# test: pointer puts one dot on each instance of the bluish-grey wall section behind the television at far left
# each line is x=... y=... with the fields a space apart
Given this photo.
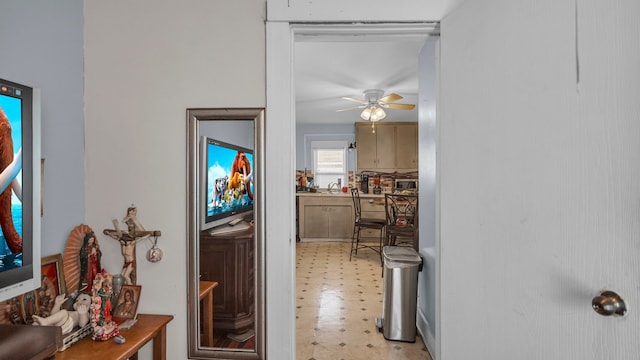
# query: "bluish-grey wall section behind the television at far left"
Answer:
x=41 y=44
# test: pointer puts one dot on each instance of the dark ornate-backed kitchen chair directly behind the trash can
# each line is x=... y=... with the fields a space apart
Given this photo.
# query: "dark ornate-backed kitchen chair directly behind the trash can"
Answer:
x=401 y=211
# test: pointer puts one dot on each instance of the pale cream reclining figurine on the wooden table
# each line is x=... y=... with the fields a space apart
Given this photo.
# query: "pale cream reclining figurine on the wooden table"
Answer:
x=68 y=320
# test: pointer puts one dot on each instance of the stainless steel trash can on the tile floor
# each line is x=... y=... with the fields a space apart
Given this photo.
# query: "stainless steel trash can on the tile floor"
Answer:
x=400 y=292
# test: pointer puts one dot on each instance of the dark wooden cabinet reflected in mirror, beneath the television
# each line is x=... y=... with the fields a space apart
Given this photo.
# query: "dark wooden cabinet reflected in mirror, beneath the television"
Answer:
x=229 y=260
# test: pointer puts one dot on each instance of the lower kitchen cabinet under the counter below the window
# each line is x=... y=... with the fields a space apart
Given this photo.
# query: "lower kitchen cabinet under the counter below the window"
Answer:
x=325 y=217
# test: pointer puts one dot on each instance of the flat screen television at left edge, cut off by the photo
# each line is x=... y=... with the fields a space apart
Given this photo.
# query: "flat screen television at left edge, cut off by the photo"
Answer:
x=19 y=189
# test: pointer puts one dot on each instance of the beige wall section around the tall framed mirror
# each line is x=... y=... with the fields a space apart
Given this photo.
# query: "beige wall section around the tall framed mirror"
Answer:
x=146 y=62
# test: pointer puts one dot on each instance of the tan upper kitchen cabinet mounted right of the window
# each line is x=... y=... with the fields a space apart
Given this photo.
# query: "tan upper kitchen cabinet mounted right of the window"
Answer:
x=393 y=147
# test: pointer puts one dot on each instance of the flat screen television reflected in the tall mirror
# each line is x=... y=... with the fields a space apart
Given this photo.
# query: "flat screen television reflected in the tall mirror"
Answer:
x=227 y=186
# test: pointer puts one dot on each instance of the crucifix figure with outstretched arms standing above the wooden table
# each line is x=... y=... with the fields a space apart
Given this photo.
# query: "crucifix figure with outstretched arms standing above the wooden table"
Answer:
x=135 y=232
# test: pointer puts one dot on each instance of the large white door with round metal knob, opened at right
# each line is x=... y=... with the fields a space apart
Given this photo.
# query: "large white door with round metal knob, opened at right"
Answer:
x=539 y=179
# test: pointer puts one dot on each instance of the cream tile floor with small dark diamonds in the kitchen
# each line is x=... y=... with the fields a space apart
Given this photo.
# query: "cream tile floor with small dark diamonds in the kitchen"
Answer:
x=337 y=303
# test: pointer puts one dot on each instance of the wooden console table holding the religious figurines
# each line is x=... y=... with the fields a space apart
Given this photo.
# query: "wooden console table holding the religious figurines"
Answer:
x=148 y=327
